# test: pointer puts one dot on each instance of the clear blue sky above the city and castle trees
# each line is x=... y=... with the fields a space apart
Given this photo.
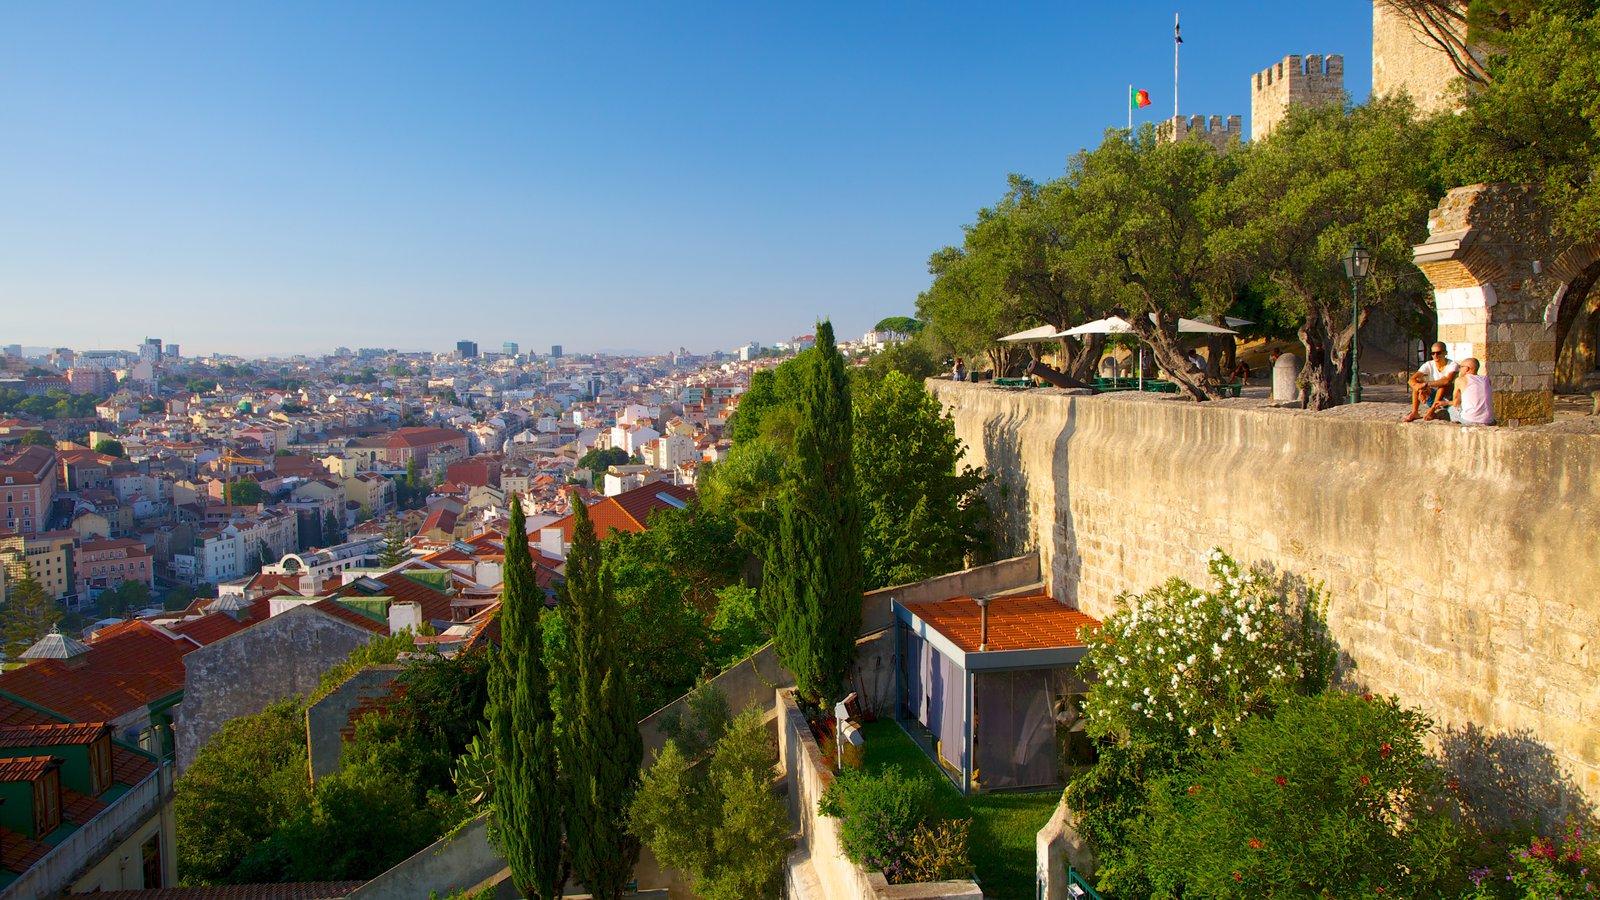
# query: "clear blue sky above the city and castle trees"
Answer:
x=292 y=177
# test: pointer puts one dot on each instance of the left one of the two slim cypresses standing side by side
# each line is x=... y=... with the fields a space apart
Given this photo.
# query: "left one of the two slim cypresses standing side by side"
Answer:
x=522 y=731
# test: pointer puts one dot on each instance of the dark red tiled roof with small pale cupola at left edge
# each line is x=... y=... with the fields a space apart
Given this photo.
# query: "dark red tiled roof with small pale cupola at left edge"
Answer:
x=129 y=665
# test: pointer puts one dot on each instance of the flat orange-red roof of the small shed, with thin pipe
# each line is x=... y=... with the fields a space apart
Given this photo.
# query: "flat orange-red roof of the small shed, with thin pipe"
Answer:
x=1015 y=624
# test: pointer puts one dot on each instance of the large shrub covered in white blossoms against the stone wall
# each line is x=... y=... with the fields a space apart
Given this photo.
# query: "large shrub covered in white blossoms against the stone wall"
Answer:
x=1175 y=673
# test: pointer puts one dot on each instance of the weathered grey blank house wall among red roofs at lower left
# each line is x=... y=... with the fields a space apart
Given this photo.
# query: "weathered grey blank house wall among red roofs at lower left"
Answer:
x=249 y=670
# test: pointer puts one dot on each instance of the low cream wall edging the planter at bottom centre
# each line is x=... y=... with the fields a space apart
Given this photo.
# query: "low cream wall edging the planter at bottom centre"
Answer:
x=818 y=870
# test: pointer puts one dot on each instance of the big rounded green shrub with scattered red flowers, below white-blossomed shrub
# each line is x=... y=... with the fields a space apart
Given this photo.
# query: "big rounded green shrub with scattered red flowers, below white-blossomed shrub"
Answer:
x=1332 y=797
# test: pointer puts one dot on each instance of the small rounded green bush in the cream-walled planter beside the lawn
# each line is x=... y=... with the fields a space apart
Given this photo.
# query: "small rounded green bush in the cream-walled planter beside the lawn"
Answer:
x=879 y=816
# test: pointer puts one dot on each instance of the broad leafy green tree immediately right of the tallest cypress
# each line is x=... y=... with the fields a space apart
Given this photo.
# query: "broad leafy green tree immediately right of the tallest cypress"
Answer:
x=922 y=513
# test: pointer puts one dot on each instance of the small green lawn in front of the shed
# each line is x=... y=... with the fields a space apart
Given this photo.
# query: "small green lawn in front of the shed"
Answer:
x=1004 y=824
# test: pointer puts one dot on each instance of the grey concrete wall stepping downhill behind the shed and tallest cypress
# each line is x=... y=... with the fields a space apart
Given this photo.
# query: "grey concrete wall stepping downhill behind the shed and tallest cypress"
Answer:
x=753 y=681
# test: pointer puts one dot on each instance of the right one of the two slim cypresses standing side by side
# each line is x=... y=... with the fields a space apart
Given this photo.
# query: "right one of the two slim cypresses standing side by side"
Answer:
x=602 y=750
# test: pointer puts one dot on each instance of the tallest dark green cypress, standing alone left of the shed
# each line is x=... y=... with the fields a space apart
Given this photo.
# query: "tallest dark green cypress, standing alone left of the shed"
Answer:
x=814 y=566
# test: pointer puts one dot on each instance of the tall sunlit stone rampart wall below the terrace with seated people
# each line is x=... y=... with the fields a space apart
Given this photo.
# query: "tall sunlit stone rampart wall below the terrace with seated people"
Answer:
x=1460 y=565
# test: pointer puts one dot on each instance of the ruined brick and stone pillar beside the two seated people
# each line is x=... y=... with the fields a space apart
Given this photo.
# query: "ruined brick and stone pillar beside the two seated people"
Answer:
x=1490 y=257
